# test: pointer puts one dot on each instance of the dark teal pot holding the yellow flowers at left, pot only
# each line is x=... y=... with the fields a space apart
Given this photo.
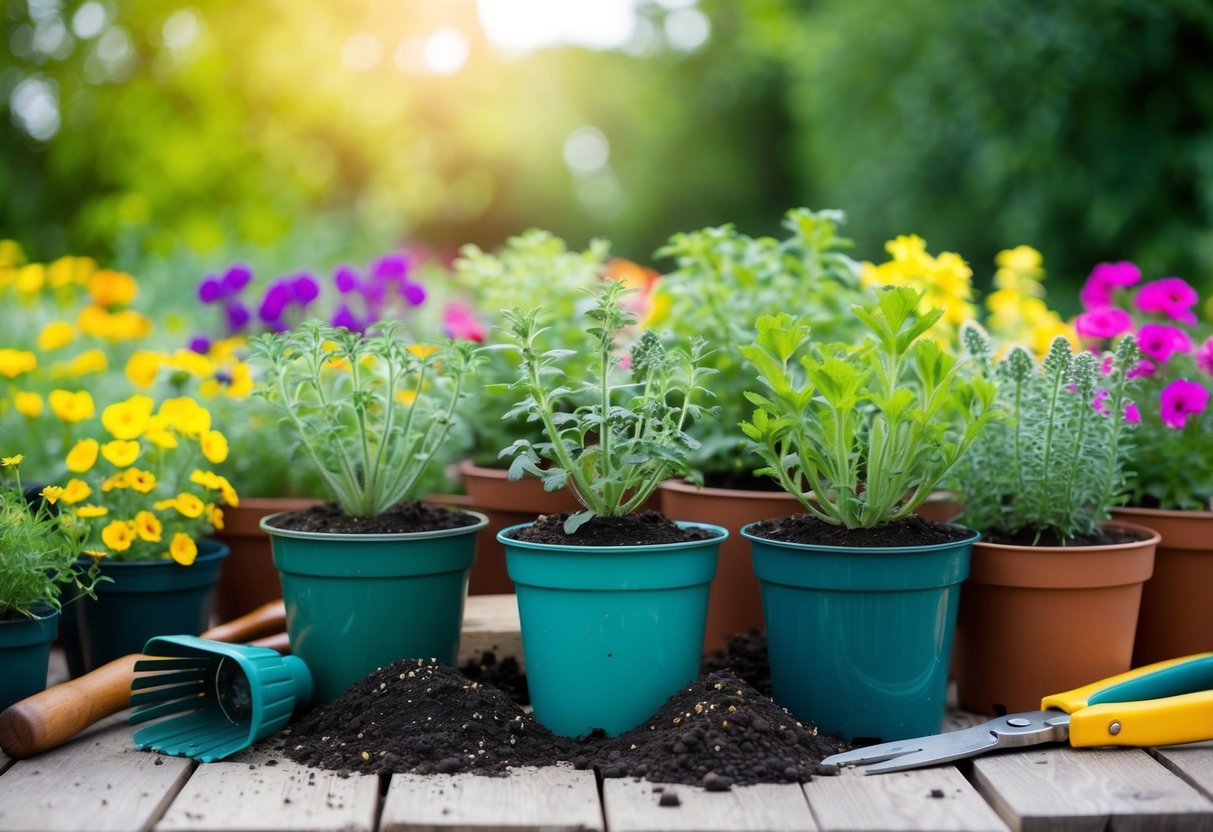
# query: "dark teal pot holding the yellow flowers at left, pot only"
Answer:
x=146 y=600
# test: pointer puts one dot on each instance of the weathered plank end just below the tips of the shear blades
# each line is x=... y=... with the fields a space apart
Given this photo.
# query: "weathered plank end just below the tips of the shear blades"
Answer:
x=936 y=799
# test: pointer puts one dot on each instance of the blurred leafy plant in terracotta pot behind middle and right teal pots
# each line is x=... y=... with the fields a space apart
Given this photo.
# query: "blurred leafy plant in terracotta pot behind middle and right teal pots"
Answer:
x=722 y=283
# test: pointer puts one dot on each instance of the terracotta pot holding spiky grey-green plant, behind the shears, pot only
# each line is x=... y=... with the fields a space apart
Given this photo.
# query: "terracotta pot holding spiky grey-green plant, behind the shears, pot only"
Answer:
x=1044 y=620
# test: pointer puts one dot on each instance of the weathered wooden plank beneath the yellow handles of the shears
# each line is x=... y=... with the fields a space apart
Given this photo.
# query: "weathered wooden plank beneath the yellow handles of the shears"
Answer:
x=1085 y=789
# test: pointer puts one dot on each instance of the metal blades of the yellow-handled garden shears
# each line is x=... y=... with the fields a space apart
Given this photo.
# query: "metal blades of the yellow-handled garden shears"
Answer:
x=1015 y=731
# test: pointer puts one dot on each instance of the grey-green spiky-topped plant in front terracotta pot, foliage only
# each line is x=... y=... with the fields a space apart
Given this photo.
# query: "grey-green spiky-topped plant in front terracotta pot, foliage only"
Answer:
x=1056 y=468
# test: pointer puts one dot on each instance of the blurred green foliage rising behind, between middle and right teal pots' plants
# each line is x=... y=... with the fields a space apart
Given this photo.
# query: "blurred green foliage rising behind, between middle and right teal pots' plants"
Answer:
x=725 y=281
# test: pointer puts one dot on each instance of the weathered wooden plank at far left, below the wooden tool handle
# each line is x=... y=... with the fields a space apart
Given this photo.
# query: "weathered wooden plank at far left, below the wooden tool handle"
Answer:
x=98 y=782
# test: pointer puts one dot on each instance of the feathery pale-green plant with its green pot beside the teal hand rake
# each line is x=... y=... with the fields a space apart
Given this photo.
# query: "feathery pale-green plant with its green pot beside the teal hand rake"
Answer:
x=371 y=413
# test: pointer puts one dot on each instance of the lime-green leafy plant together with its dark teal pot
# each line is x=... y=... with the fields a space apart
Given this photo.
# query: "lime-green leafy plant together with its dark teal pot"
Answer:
x=861 y=594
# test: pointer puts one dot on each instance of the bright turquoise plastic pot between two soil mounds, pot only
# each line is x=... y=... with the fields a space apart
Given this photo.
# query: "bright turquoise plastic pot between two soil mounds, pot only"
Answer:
x=610 y=632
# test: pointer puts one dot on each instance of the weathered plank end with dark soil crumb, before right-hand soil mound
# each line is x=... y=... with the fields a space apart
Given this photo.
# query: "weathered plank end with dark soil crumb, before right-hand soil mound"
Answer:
x=633 y=806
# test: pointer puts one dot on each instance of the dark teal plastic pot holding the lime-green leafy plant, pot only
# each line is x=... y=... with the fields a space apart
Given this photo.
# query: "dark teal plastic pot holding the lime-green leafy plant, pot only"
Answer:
x=861 y=640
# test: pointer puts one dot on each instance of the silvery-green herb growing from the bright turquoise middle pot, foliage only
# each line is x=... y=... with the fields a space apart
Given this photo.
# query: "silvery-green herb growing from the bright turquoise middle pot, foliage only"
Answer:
x=614 y=452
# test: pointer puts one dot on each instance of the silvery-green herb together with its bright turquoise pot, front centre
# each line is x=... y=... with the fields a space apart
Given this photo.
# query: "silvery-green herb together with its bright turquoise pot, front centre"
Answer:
x=612 y=602
